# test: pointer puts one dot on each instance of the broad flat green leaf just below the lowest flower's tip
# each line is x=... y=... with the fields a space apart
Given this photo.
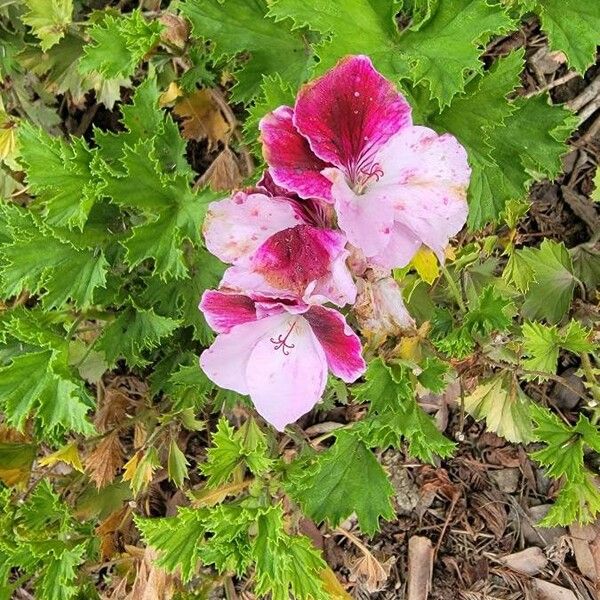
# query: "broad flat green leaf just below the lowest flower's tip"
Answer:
x=344 y=479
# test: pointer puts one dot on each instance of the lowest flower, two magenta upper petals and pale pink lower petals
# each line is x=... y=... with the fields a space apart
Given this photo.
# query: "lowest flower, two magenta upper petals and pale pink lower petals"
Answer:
x=277 y=352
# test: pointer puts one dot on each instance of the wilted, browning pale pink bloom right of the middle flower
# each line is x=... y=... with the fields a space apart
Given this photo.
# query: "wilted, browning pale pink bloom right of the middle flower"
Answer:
x=380 y=309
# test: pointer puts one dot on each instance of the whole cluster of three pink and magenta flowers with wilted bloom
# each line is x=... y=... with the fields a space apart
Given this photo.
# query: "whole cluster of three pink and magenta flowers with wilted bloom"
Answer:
x=352 y=190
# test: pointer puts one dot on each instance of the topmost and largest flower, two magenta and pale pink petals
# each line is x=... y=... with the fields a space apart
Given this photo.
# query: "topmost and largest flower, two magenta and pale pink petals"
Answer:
x=350 y=140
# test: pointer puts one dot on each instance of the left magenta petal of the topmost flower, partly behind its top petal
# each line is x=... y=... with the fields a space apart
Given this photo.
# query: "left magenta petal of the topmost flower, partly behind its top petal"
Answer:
x=292 y=164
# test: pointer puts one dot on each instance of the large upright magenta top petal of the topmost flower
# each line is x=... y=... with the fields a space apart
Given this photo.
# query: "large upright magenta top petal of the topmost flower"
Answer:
x=349 y=113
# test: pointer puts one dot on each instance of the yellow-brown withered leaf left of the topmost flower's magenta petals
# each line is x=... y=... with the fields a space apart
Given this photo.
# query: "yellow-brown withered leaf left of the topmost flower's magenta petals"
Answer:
x=202 y=118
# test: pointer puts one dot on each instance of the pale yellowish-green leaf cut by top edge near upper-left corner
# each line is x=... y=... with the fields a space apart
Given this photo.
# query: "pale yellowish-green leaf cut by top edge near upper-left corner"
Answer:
x=48 y=19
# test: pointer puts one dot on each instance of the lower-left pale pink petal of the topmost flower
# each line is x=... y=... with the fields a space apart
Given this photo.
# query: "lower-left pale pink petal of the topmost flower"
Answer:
x=366 y=219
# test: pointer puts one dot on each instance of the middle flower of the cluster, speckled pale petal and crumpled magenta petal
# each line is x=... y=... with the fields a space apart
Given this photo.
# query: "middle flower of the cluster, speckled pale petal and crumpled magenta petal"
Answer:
x=279 y=247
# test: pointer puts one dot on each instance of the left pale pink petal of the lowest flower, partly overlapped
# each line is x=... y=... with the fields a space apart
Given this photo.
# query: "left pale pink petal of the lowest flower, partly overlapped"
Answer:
x=226 y=360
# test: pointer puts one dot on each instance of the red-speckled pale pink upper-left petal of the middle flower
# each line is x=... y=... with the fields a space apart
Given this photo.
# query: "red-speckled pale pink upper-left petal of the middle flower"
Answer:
x=235 y=227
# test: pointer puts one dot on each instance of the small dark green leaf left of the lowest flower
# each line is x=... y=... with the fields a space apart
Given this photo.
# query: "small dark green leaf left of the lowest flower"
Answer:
x=133 y=332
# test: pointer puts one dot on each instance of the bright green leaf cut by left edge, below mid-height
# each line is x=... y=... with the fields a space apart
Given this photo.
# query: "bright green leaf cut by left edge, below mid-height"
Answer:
x=35 y=383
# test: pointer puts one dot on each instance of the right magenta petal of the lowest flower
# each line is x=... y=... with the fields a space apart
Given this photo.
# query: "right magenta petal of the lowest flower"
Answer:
x=341 y=345
